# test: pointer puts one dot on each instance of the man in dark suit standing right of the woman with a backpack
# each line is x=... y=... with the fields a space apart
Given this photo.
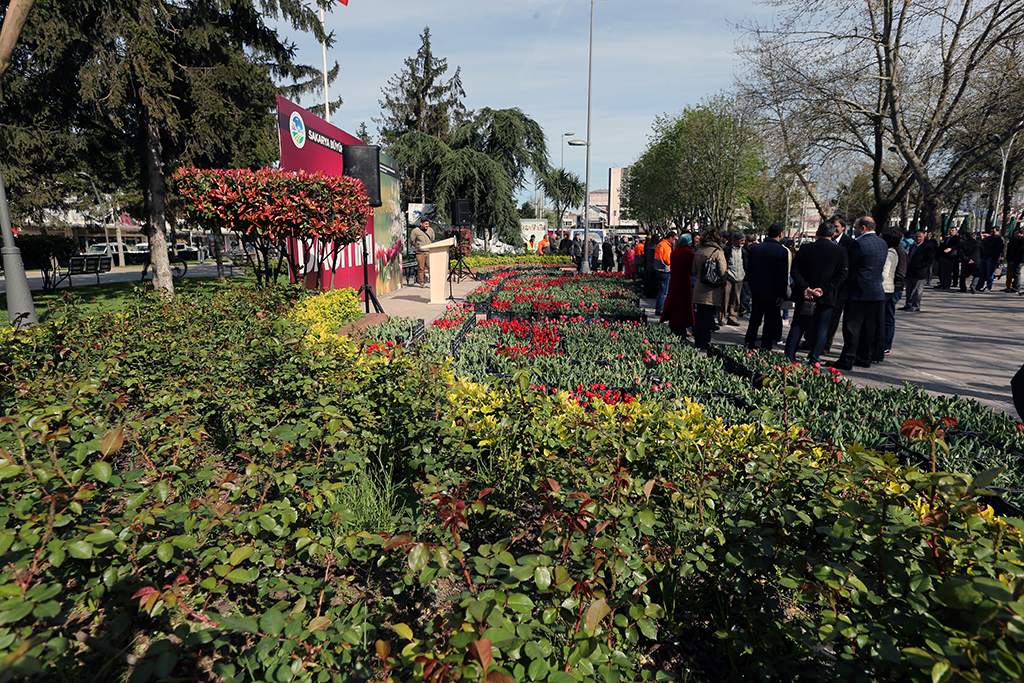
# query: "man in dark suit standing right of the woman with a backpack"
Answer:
x=769 y=275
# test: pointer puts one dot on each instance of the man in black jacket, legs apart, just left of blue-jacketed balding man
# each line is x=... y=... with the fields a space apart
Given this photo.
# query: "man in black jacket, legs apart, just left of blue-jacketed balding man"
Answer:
x=819 y=272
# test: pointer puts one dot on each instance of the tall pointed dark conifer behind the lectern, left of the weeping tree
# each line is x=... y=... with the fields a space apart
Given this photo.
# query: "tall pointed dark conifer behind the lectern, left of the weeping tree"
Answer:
x=419 y=100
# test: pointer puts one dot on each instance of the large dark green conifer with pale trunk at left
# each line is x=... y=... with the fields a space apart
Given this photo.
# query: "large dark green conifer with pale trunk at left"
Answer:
x=165 y=83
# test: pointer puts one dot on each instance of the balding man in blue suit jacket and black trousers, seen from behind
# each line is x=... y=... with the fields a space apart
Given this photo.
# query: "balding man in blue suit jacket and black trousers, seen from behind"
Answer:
x=865 y=295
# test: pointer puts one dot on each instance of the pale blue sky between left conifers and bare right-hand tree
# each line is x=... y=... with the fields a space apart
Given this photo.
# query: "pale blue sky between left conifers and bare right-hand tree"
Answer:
x=652 y=58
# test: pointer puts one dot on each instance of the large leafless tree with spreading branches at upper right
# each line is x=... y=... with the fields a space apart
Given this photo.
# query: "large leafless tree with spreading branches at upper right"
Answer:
x=887 y=79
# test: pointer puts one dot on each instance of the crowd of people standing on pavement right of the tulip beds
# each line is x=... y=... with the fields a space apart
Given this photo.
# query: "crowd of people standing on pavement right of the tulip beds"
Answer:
x=848 y=278
